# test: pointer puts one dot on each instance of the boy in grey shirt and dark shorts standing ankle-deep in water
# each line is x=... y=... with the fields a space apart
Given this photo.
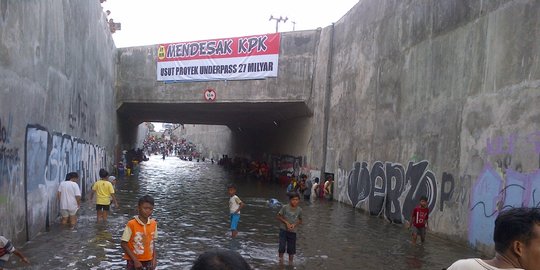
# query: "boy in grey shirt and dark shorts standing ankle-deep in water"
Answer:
x=290 y=216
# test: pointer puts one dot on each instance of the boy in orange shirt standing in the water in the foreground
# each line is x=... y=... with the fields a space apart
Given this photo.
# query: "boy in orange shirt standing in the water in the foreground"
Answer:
x=138 y=239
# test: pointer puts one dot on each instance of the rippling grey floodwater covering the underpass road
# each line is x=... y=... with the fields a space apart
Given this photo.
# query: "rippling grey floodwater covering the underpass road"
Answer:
x=192 y=213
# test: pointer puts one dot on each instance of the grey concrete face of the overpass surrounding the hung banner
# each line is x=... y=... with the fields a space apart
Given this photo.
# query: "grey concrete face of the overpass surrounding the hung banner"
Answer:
x=137 y=77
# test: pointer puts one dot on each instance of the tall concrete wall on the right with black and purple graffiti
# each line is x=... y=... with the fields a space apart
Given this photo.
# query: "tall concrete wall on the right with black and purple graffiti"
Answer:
x=435 y=98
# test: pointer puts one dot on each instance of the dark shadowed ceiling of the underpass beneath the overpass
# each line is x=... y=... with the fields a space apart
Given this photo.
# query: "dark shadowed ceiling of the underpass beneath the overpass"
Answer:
x=235 y=115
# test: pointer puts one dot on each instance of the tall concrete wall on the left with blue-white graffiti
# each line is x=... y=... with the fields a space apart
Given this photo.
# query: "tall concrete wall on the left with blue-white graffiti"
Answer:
x=57 y=111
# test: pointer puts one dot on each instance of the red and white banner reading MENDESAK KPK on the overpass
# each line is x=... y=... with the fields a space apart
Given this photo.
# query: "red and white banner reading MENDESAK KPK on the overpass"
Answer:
x=244 y=58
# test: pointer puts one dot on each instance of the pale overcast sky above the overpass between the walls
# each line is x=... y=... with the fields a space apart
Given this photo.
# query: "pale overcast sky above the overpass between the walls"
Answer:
x=147 y=22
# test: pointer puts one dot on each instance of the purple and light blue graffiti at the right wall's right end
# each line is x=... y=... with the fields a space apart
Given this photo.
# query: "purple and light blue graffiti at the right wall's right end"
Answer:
x=502 y=185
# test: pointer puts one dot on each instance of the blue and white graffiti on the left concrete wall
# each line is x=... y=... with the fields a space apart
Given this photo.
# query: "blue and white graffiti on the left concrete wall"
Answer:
x=49 y=157
